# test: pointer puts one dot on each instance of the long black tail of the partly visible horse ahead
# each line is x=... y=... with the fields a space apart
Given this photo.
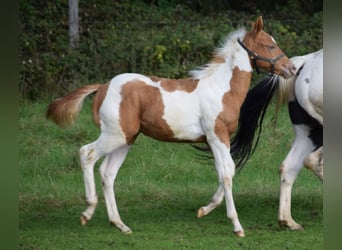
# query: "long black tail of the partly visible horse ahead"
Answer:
x=251 y=118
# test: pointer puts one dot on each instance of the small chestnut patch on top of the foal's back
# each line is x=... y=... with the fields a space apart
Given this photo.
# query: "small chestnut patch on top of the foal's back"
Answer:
x=170 y=85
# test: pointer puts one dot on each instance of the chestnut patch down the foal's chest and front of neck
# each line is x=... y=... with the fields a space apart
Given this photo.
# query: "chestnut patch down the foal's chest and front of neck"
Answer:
x=227 y=121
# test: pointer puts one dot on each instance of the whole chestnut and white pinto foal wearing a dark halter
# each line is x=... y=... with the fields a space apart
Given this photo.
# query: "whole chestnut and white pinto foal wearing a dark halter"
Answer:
x=202 y=108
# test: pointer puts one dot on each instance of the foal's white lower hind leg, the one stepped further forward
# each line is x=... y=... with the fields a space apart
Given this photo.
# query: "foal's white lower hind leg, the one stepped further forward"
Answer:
x=108 y=173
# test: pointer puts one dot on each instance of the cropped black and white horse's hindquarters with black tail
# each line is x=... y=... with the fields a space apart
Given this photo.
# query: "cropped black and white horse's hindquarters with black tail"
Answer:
x=304 y=95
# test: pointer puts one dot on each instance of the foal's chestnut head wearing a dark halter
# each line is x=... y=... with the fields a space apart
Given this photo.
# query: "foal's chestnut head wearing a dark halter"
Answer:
x=264 y=52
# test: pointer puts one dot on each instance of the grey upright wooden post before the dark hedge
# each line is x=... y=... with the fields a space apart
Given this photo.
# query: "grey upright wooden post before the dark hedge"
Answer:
x=73 y=24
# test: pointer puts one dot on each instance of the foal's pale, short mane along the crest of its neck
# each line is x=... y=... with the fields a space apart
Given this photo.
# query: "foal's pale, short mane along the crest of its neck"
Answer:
x=220 y=54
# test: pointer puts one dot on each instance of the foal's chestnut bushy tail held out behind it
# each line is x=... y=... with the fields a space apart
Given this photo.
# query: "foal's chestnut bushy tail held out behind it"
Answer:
x=63 y=110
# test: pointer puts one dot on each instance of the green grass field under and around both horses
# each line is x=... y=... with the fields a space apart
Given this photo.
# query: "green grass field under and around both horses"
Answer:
x=159 y=189
